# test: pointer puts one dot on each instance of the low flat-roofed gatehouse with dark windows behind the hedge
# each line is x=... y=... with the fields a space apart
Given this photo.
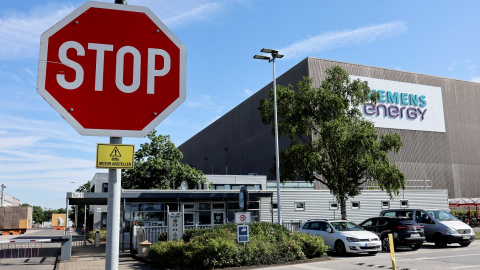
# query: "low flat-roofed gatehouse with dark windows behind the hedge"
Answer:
x=147 y=209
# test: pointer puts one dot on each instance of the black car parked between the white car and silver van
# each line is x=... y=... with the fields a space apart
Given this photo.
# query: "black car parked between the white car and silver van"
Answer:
x=405 y=231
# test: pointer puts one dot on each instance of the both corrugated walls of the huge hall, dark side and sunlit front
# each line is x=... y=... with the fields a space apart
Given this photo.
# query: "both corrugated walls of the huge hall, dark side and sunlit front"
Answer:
x=239 y=143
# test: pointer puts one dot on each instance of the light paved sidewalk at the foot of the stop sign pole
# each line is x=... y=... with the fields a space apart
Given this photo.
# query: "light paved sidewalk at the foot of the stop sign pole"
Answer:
x=92 y=258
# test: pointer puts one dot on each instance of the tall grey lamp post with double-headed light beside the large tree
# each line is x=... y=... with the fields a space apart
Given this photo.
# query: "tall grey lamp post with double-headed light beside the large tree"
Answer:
x=274 y=54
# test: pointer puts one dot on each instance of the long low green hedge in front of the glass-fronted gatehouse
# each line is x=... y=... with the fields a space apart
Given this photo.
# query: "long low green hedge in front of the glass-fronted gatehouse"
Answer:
x=217 y=247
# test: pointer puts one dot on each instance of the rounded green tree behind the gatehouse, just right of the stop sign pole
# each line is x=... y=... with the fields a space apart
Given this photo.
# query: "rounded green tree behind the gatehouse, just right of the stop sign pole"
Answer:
x=158 y=166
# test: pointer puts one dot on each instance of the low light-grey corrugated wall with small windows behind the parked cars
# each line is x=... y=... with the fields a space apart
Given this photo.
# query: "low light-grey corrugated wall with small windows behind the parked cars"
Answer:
x=317 y=204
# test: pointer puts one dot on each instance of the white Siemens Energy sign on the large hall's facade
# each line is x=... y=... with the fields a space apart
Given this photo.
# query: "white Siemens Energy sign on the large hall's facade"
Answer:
x=405 y=105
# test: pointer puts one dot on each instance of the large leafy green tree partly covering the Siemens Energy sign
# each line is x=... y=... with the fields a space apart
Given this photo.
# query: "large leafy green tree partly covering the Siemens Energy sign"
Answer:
x=330 y=140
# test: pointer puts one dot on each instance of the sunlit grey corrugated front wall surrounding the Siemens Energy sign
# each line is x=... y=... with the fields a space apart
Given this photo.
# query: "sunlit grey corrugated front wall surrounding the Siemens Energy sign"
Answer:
x=451 y=159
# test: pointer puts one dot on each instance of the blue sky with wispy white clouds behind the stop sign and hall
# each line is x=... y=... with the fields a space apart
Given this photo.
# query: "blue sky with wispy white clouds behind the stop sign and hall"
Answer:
x=42 y=157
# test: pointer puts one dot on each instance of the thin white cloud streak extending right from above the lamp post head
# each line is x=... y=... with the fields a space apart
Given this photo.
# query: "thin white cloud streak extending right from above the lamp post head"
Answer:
x=332 y=40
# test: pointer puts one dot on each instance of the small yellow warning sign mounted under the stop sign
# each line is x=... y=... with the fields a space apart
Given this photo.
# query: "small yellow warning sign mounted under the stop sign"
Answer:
x=115 y=156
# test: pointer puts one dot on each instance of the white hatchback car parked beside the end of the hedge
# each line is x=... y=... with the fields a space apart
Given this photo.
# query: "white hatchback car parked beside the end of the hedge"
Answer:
x=343 y=236
